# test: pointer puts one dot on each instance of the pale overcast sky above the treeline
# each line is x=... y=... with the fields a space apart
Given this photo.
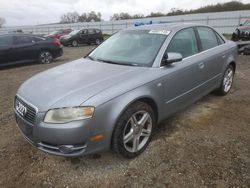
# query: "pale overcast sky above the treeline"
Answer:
x=33 y=12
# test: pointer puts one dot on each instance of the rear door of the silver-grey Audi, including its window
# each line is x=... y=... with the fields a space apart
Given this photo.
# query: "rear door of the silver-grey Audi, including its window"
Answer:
x=213 y=57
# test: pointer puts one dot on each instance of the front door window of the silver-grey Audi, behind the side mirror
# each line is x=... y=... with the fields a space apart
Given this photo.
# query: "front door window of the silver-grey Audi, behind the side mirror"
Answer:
x=184 y=42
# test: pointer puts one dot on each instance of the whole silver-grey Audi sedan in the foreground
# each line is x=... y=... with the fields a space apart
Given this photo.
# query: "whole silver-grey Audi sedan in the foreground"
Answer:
x=115 y=96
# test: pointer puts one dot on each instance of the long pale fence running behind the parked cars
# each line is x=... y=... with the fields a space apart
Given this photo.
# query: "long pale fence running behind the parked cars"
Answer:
x=224 y=22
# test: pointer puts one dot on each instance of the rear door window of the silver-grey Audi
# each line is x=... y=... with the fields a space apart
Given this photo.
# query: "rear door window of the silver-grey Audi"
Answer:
x=207 y=37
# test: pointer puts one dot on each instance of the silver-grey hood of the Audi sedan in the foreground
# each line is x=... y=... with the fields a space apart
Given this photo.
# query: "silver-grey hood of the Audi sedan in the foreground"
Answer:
x=73 y=83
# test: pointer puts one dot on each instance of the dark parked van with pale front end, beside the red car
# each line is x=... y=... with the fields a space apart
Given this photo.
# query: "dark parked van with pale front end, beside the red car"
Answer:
x=83 y=36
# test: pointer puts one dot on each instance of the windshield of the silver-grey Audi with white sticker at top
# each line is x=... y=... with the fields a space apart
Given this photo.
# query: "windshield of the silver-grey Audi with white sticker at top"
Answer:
x=130 y=47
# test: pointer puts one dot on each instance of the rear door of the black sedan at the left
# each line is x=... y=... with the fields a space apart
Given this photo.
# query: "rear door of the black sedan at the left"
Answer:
x=23 y=48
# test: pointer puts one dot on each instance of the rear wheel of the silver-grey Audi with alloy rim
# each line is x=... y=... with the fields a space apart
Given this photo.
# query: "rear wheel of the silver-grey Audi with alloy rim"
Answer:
x=227 y=81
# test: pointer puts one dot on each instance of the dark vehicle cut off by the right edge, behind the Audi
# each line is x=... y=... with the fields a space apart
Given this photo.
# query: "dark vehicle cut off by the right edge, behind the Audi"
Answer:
x=242 y=32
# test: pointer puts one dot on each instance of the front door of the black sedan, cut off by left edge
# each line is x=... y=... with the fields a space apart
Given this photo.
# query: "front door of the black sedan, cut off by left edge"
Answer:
x=5 y=48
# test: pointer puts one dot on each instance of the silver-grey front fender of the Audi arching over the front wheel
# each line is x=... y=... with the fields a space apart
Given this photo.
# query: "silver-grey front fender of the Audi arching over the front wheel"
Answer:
x=107 y=114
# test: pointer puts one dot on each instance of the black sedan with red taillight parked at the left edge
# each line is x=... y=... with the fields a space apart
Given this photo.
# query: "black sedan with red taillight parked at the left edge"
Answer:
x=18 y=48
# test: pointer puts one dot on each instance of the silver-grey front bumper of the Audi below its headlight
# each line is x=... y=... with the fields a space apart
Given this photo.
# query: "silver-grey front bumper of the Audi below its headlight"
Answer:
x=67 y=140
